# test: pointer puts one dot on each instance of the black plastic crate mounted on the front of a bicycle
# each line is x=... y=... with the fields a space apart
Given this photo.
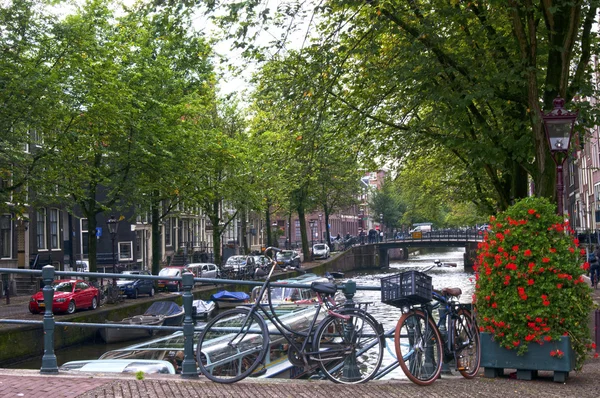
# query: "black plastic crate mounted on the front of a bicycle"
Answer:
x=407 y=288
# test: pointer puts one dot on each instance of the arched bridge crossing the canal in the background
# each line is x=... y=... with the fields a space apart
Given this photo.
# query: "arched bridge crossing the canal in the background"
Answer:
x=466 y=239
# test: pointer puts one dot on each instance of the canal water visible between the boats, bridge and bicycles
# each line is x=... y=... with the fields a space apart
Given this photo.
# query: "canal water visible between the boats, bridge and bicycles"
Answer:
x=387 y=315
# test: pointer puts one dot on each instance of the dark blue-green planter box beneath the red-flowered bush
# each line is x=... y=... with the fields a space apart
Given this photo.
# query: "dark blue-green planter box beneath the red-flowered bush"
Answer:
x=495 y=359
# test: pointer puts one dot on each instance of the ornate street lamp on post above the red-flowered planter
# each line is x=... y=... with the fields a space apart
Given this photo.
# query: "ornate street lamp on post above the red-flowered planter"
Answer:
x=558 y=125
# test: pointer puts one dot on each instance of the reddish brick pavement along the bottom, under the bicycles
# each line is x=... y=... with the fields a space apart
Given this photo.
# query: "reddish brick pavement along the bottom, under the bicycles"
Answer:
x=31 y=384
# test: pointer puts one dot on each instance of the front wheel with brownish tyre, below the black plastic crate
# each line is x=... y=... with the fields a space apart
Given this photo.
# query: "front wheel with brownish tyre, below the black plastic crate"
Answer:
x=418 y=347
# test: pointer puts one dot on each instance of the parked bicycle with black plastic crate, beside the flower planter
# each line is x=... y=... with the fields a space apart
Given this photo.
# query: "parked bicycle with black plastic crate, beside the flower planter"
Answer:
x=421 y=344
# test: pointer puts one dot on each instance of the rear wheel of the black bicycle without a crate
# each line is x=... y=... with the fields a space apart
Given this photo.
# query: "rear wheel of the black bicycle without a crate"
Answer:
x=350 y=350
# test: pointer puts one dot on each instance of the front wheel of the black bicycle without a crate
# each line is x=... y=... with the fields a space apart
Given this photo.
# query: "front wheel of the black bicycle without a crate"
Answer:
x=232 y=345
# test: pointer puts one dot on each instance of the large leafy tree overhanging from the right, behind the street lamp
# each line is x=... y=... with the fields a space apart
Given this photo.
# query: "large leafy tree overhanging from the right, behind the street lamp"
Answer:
x=467 y=76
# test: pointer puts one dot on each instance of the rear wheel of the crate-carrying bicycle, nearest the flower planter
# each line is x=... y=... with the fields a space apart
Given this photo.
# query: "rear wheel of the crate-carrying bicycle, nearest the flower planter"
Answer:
x=466 y=344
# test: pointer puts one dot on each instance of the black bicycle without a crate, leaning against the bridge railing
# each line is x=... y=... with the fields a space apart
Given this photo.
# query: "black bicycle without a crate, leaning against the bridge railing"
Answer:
x=346 y=345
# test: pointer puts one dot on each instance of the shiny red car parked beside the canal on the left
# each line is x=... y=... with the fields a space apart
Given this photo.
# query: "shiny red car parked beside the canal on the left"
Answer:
x=69 y=295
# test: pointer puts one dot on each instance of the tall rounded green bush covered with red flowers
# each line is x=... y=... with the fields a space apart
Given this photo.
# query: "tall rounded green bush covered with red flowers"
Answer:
x=530 y=287
